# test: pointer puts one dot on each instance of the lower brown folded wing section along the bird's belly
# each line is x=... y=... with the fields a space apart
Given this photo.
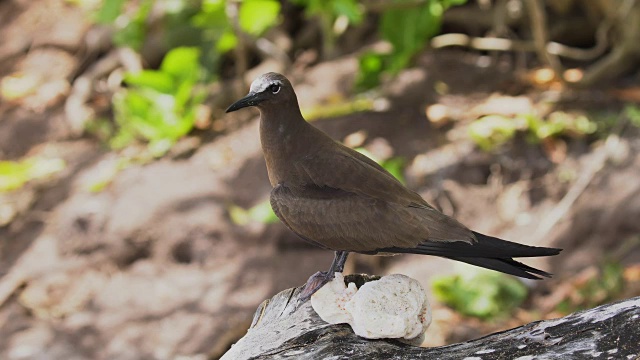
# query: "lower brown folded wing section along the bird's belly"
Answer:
x=341 y=220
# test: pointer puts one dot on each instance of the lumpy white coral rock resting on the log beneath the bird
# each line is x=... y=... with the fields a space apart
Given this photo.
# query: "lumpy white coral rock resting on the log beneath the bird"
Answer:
x=395 y=306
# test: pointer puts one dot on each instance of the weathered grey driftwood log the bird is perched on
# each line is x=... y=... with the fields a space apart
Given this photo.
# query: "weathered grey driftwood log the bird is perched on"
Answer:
x=279 y=331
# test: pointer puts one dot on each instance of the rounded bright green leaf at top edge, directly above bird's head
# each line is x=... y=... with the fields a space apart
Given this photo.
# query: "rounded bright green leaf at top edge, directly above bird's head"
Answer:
x=256 y=16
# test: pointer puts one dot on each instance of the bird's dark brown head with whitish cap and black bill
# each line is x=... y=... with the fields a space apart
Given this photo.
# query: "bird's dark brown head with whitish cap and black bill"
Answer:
x=268 y=90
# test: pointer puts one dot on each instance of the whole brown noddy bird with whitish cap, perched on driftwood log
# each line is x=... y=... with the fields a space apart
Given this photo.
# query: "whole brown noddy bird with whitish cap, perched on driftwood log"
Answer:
x=336 y=198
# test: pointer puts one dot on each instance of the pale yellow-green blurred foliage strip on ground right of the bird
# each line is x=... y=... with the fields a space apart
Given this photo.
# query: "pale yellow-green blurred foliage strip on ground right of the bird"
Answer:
x=491 y=131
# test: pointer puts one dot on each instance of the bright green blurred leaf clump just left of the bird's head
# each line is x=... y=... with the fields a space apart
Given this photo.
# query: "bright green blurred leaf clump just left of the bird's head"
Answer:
x=159 y=106
